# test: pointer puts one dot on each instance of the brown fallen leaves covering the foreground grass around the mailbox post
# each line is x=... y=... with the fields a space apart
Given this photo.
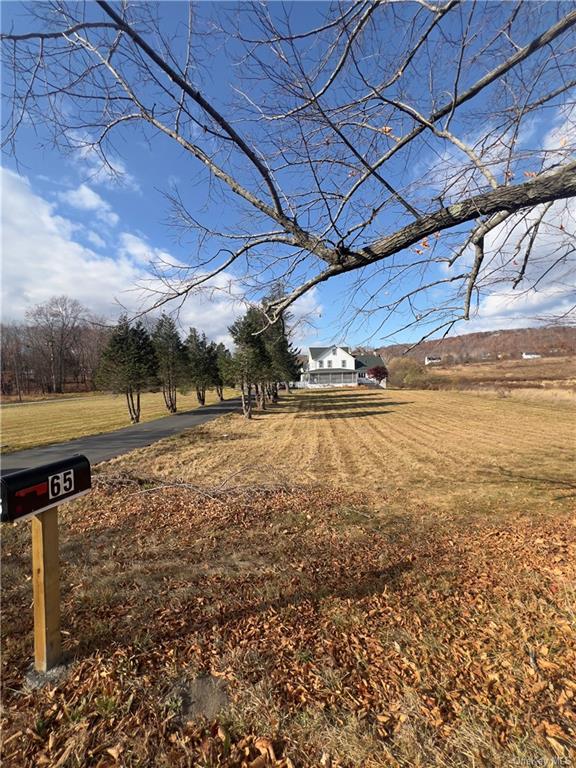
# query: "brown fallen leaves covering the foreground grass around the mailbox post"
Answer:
x=400 y=631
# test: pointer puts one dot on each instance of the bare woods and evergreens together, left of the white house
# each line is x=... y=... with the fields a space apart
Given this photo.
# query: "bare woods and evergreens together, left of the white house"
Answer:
x=61 y=344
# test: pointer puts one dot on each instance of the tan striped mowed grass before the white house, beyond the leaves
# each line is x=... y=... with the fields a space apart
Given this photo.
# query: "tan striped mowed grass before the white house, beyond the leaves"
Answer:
x=429 y=446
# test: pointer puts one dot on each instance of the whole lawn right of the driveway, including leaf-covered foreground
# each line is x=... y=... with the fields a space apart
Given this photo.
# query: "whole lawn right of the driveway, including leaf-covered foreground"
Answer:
x=361 y=578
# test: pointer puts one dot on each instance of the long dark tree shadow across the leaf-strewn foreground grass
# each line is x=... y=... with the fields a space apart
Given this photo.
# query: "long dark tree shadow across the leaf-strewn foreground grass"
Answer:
x=190 y=594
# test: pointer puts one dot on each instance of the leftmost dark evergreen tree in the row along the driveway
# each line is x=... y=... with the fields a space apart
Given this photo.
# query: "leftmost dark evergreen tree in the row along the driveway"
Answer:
x=128 y=364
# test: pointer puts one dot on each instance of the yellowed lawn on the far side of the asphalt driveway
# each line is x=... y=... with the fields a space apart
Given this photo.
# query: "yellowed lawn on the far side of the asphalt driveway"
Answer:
x=44 y=422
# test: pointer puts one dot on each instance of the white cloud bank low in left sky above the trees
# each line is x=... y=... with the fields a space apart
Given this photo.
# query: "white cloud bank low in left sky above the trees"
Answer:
x=41 y=258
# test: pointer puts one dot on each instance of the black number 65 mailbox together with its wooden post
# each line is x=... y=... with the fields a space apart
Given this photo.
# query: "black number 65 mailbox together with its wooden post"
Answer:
x=36 y=493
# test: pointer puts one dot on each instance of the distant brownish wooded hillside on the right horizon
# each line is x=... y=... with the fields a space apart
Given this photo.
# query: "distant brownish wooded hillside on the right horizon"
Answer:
x=492 y=345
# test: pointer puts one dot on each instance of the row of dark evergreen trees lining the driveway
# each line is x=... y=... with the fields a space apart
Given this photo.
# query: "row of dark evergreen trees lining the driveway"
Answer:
x=135 y=361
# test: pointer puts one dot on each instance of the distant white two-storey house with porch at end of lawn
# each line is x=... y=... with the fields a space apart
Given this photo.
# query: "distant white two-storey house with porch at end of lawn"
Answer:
x=336 y=366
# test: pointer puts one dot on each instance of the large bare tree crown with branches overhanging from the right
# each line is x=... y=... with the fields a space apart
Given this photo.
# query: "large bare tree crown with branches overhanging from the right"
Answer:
x=403 y=142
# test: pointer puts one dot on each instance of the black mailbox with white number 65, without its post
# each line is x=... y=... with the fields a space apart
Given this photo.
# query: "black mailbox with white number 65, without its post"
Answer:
x=31 y=491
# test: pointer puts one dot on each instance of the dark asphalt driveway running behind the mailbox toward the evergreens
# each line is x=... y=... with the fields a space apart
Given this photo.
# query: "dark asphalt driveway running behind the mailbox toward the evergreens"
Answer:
x=103 y=447
